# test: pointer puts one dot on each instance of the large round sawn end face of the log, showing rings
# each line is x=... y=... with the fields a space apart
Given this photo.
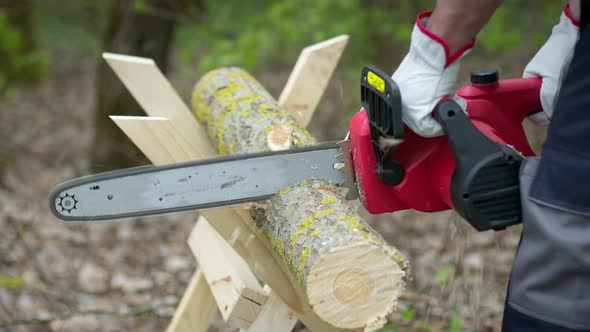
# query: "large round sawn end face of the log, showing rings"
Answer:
x=355 y=285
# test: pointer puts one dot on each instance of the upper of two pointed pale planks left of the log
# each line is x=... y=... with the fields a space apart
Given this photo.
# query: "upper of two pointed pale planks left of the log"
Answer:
x=157 y=97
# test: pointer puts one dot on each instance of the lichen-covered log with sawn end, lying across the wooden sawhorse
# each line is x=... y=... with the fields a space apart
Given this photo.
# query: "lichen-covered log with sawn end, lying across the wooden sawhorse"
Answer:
x=351 y=276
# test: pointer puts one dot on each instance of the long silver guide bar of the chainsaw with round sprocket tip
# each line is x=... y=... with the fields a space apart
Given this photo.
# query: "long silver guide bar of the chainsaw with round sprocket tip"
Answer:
x=151 y=190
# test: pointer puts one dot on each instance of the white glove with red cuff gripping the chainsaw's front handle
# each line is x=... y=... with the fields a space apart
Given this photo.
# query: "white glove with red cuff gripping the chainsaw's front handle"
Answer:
x=427 y=74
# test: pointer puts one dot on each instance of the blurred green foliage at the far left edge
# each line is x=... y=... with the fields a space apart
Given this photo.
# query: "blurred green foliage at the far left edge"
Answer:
x=17 y=64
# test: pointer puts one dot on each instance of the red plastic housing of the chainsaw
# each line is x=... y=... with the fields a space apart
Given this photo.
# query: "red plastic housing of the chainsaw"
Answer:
x=497 y=110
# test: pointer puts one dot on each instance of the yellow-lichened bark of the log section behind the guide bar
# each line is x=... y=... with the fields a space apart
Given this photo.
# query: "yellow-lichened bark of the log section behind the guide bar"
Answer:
x=238 y=112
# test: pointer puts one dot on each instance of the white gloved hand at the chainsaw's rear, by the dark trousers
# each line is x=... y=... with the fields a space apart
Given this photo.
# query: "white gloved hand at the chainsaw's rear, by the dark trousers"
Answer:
x=551 y=62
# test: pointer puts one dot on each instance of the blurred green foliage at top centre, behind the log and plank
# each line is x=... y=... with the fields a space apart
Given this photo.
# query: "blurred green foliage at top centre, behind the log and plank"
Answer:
x=271 y=33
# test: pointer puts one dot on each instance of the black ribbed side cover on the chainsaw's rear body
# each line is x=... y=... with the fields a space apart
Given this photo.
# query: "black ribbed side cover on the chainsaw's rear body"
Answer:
x=485 y=187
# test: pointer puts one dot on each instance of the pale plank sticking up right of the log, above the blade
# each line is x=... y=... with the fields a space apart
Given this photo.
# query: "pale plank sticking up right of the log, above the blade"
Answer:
x=310 y=77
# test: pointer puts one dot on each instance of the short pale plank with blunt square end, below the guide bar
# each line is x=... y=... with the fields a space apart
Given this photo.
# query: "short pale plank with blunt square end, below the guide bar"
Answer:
x=238 y=294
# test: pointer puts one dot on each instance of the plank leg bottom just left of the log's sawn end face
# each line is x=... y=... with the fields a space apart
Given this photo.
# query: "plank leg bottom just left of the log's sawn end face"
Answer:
x=275 y=316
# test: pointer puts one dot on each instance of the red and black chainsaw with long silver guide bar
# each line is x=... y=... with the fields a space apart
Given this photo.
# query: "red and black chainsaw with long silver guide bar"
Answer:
x=473 y=169
